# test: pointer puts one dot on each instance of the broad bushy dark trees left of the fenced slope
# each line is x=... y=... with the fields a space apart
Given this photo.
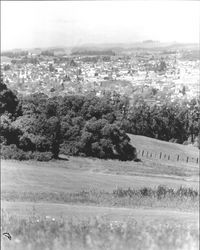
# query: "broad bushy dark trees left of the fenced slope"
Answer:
x=74 y=125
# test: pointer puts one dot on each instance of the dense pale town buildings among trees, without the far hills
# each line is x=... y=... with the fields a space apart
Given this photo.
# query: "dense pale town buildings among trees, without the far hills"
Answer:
x=147 y=74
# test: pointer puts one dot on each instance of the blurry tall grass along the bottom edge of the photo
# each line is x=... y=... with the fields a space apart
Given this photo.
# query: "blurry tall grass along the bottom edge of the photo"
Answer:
x=96 y=233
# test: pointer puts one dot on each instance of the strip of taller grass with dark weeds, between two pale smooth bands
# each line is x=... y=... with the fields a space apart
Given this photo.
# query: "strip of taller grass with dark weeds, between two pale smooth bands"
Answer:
x=182 y=198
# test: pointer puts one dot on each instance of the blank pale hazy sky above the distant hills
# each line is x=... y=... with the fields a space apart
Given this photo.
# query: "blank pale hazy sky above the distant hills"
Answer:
x=59 y=23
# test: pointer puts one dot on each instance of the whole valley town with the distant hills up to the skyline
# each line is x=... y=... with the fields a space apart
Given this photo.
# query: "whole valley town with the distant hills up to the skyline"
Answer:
x=149 y=69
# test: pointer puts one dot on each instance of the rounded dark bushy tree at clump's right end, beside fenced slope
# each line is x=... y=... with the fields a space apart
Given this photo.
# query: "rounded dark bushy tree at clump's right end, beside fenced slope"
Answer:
x=104 y=140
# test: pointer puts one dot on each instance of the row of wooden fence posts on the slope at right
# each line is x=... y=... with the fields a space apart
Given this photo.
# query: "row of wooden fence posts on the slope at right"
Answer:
x=167 y=157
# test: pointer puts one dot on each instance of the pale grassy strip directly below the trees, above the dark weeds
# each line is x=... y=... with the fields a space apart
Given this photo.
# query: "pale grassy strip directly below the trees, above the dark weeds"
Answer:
x=82 y=173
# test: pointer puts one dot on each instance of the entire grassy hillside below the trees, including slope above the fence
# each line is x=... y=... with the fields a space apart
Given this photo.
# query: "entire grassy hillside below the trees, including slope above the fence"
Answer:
x=86 y=203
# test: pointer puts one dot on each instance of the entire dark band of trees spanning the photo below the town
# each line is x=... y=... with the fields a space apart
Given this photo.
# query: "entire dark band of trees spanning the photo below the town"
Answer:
x=90 y=125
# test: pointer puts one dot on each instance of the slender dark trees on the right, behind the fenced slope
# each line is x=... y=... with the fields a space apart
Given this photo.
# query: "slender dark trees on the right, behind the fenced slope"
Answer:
x=171 y=121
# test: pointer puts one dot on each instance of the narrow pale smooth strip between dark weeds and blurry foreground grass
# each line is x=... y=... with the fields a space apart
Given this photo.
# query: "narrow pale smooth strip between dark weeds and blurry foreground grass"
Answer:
x=69 y=211
